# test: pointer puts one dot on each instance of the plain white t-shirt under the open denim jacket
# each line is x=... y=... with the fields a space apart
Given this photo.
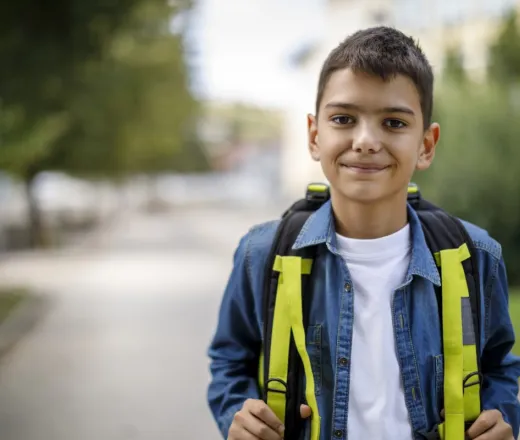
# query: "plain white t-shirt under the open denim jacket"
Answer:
x=377 y=409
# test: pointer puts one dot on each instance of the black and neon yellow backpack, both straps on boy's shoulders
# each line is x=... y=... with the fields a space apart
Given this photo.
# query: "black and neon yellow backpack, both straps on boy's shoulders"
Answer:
x=285 y=373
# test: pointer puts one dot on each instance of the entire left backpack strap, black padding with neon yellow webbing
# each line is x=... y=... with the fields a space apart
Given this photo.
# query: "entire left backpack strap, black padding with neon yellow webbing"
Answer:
x=283 y=335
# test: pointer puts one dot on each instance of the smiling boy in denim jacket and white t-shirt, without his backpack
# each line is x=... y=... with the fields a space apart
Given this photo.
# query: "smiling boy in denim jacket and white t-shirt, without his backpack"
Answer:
x=377 y=365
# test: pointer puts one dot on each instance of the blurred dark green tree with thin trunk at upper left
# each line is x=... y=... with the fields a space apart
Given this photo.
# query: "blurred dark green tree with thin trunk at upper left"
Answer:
x=97 y=88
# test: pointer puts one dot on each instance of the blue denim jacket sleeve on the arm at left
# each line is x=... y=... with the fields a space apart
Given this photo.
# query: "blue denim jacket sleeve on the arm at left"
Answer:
x=235 y=348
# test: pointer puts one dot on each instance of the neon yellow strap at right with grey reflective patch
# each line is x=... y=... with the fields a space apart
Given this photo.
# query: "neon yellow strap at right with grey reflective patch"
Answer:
x=461 y=388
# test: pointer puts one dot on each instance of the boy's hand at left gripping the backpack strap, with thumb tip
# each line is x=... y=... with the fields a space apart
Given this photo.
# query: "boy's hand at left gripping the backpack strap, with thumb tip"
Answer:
x=256 y=421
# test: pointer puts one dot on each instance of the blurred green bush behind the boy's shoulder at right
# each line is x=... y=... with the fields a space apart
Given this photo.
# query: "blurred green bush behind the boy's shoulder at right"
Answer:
x=475 y=172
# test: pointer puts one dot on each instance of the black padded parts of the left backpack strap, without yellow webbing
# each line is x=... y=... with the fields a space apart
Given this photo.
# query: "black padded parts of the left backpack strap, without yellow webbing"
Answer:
x=288 y=230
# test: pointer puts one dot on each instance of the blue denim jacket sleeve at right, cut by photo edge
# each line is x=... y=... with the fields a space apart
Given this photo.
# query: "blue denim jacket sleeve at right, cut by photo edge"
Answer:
x=500 y=368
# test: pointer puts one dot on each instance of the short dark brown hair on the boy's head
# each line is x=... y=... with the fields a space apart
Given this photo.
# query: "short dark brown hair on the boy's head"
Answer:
x=385 y=52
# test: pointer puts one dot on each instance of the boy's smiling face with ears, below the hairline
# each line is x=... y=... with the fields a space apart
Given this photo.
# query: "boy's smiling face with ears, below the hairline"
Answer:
x=369 y=136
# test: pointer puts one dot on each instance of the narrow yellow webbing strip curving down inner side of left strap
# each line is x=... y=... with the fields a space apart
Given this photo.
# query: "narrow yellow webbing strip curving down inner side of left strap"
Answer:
x=292 y=271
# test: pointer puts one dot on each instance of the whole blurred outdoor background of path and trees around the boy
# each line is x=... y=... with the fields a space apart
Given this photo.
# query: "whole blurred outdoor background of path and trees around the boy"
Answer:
x=139 y=139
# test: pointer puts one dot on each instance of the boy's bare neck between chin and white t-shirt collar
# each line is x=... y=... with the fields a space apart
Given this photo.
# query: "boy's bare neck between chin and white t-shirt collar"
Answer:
x=369 y=221
